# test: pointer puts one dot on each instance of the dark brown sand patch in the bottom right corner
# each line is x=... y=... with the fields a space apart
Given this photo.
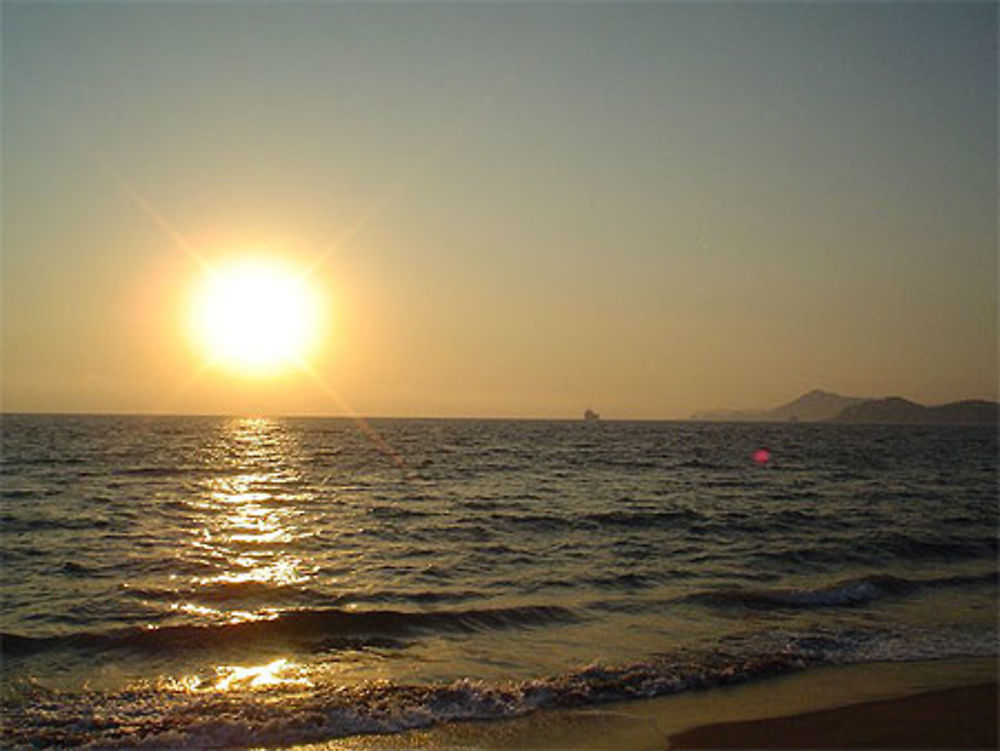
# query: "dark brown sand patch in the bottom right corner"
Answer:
x=956 y=718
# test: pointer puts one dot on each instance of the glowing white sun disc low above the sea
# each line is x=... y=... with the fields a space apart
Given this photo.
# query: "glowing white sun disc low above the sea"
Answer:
x=255 y=317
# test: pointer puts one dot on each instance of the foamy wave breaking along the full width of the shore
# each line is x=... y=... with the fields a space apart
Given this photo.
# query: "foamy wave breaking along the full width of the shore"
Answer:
x=168 y=715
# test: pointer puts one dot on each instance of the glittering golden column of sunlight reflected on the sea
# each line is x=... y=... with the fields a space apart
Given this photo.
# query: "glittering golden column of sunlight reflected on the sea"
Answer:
x=246 y=544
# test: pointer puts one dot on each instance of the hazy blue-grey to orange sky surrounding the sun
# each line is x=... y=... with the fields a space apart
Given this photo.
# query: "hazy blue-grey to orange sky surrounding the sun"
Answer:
x=521 y=209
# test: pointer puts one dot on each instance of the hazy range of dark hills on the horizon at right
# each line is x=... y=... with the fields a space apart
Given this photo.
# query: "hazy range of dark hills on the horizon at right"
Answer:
x=823 y=406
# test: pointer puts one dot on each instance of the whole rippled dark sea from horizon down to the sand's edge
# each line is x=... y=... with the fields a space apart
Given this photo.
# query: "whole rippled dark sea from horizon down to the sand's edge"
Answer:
x=220 y=582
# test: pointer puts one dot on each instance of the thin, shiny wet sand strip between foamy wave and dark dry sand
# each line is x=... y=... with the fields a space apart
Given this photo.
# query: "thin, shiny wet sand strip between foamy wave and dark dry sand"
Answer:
x=663 y=722
